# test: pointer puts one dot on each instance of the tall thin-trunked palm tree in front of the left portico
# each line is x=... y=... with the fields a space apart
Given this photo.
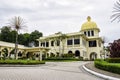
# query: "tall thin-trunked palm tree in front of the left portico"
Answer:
x=17 y=23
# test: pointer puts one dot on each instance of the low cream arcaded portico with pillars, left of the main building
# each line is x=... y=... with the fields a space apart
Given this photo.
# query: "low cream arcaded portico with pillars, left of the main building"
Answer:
x=21 y=48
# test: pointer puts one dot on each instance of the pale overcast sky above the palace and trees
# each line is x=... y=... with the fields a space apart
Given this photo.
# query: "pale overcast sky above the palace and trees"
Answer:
x=67 y=16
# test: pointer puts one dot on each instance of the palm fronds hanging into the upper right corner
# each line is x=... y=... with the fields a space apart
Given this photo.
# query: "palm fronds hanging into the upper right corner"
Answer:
x=116 y=11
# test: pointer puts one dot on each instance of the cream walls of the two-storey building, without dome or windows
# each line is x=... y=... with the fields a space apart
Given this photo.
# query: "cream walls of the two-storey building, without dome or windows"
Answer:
x=83 y=47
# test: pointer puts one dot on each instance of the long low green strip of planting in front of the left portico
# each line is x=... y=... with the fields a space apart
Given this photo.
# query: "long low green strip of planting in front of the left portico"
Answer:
x=22 y=62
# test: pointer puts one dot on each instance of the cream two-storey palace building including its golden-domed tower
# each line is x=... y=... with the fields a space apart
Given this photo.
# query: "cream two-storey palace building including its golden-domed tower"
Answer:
x=85 y=43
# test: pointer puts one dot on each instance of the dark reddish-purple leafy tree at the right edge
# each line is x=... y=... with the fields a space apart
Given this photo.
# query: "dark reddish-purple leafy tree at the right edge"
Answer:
x=114 y=49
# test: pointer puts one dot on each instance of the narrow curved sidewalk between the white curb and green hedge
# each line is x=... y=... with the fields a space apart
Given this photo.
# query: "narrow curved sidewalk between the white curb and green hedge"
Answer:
x=91 y=67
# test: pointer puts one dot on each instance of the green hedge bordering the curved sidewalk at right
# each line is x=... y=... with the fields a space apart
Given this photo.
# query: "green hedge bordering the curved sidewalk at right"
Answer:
x=111 y=67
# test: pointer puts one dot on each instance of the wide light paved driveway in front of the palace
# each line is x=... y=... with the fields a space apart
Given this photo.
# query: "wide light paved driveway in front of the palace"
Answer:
x=49 y=71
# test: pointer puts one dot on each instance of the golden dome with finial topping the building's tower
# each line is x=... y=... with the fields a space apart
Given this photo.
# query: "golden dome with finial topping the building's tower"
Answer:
x=89 y=25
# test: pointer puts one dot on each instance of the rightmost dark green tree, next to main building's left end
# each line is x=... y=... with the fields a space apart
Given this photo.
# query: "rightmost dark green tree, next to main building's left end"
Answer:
x=35 y=35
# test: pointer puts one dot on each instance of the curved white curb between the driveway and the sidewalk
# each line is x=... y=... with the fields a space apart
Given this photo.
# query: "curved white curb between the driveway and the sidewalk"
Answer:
x=100 y=75
